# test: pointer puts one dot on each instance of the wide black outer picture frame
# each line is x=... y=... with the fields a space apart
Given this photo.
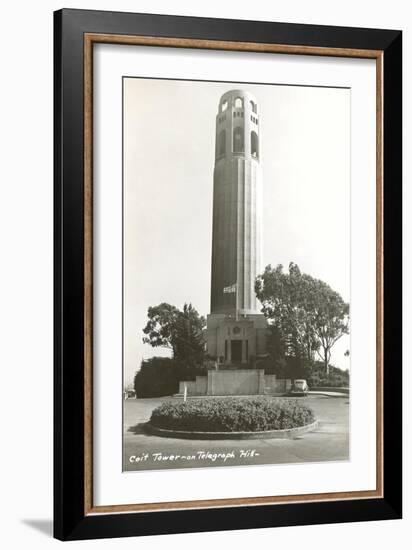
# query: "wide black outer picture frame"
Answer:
x=71 y=519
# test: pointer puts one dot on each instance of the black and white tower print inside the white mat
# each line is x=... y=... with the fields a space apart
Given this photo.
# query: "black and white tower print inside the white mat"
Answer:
x=236 y=274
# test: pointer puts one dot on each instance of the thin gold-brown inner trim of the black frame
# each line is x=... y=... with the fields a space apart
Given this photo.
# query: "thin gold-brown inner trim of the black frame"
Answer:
x=89 y=40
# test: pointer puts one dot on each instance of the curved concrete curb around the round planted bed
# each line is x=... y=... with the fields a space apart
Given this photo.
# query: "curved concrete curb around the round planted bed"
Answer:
x=268 y=434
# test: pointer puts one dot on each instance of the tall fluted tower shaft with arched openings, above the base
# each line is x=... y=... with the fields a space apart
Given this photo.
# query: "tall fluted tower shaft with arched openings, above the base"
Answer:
x=236 y=244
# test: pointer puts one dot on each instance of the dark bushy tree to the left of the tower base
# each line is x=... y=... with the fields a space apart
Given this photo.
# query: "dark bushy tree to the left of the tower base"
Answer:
x=178 y=330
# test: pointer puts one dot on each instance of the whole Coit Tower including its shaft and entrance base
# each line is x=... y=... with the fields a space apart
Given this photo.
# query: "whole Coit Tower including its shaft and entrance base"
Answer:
x=237 y=231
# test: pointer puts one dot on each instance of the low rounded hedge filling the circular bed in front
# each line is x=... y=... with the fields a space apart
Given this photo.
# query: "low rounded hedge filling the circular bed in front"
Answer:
x=232 y=415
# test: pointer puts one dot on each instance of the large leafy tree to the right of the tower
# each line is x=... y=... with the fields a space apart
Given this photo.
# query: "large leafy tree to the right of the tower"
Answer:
x=309 y=317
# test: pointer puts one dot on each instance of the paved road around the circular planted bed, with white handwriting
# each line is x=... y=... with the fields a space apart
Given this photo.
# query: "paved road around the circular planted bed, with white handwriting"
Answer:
x=330 y=441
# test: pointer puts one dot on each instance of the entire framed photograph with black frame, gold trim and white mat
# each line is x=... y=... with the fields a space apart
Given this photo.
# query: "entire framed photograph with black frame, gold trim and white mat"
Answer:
x=227 y=274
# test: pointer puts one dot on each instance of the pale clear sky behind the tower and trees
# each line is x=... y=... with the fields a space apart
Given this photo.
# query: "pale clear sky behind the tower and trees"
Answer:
x=169 y=146
